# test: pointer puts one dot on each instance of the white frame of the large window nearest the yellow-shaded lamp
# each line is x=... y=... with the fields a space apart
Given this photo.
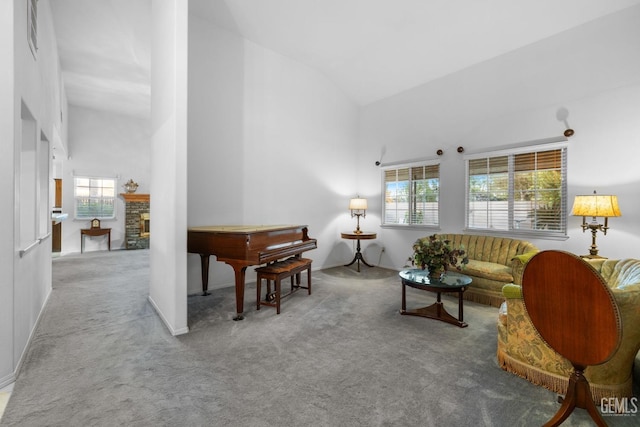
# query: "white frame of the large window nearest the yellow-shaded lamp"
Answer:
x=510 y=153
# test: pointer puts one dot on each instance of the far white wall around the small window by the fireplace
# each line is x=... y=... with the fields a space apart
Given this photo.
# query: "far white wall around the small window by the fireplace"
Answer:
x=110 y=145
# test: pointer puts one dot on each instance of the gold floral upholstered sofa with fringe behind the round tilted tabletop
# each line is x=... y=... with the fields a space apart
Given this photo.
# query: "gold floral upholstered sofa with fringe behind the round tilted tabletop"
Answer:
x=522 y=352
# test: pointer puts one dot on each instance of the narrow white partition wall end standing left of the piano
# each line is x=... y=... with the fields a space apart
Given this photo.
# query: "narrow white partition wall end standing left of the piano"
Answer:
x=168 y=246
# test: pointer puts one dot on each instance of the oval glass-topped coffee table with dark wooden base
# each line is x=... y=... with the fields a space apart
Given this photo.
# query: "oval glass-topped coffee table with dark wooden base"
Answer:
x=450 y=282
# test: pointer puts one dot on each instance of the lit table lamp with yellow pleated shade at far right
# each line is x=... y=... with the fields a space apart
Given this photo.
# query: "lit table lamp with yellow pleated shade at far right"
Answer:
x=595 y=205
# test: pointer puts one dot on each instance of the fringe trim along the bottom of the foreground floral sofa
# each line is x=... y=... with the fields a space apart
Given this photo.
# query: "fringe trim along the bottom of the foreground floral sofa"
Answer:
x=559 y=384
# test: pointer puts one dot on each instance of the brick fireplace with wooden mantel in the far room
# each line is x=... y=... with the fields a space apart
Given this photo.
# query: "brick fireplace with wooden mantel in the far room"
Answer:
x=137 y=220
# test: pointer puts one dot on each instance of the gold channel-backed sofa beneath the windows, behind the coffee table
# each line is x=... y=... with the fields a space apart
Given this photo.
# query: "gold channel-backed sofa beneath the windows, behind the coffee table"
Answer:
x=493 y=262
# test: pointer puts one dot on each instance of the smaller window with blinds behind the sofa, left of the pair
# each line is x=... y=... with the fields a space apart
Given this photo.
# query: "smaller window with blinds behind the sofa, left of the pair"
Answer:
x=412 y=195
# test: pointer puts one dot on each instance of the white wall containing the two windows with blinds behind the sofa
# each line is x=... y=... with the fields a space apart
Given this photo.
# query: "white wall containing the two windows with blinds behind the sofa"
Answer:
x=593 y=71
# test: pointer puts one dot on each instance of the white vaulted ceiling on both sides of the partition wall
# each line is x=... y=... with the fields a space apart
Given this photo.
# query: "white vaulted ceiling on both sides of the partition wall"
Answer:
x=371 y=49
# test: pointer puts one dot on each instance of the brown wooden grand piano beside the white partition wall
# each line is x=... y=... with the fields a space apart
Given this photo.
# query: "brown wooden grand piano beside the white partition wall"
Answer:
x=241 y=246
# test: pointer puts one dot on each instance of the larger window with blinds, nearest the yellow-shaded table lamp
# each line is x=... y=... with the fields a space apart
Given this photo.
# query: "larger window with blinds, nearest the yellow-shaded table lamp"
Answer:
x=521 y=190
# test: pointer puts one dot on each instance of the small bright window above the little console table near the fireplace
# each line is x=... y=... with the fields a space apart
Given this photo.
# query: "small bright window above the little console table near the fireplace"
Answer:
x=94 y=197
